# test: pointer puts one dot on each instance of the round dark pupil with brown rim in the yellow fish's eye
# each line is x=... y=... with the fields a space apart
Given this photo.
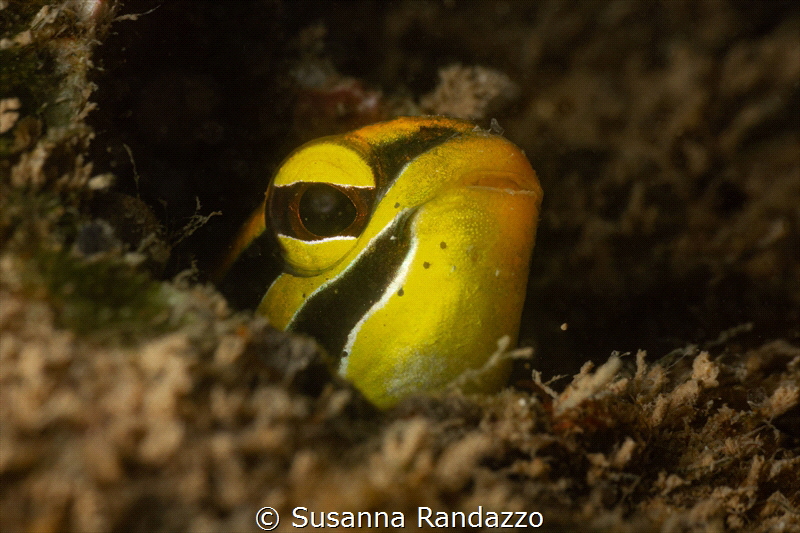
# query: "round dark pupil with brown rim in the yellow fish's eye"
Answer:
x=326 y=211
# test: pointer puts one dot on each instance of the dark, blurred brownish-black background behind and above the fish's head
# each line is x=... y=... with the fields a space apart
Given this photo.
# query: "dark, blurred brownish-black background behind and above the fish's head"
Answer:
x=664 y=134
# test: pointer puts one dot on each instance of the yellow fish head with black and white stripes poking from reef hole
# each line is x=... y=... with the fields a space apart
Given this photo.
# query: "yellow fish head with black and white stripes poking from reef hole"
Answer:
x=406 y=247
